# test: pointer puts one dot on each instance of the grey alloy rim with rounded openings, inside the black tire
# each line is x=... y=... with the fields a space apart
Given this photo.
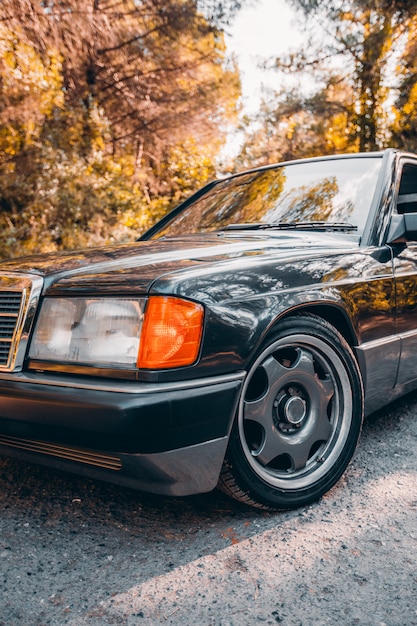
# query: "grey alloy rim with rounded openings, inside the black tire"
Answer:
x=295 y=412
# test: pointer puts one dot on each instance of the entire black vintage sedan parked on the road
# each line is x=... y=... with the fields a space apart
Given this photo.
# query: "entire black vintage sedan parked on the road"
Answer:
x=238 y=343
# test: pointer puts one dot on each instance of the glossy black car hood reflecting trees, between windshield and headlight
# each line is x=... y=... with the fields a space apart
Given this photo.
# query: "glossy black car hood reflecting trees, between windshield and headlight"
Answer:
x=137 y=266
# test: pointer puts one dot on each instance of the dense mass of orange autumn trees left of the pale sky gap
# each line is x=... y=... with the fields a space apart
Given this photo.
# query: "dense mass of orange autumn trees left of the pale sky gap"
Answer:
x=112 y=92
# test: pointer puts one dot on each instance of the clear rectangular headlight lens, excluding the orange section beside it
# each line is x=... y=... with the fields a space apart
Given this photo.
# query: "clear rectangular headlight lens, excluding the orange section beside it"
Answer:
x=90 y=331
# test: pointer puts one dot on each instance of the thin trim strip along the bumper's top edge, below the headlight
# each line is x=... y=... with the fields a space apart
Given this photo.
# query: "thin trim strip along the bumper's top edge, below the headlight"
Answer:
x=119 y=386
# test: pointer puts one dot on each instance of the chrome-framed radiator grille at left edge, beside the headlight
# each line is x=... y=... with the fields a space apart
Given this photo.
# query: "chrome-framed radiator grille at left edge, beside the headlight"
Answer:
x=18 y=299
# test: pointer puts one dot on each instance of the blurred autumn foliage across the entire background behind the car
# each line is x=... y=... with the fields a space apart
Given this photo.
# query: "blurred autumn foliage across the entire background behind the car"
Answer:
x=113 y=111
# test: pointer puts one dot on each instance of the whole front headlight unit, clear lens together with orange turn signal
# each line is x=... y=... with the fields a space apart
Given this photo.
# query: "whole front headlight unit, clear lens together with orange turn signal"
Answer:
x=159 y=332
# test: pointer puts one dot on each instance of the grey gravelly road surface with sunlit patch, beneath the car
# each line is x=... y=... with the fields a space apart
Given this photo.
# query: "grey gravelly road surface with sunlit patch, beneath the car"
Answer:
x=81 y=553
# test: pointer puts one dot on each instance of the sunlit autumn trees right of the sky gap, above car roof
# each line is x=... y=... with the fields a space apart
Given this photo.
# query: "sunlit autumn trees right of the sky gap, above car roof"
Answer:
x=347 y=70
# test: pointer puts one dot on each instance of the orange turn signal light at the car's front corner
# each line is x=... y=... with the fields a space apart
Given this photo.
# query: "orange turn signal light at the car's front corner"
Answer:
x=171 y=333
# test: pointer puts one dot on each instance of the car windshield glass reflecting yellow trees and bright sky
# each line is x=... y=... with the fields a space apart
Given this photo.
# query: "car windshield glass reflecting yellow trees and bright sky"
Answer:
x=333 y=193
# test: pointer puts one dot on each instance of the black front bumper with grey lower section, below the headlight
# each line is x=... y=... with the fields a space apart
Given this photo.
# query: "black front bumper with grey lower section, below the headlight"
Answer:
x=164 y=438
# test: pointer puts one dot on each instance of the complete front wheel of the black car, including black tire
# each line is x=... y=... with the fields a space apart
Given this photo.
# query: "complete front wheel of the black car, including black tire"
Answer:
x=299 y=418
